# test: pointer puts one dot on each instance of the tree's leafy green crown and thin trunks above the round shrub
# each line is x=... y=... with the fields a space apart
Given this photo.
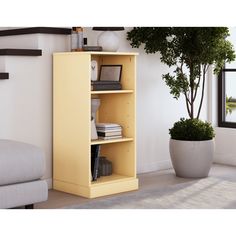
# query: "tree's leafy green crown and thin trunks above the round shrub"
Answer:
x=189 y=51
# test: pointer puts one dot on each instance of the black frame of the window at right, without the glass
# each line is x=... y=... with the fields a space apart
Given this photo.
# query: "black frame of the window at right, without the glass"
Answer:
x=221 y=100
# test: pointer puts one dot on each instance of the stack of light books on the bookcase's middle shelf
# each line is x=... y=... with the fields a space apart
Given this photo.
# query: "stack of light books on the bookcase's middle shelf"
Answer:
x=108 y=131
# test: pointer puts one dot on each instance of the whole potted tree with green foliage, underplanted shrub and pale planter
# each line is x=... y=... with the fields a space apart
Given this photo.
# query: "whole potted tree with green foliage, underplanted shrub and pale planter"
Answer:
x=189 y=51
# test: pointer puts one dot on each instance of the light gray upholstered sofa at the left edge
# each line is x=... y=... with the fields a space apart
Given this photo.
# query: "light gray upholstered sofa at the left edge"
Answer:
x=21 y=167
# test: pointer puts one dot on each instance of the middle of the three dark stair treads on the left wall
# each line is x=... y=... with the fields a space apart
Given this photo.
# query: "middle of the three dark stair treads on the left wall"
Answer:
x=20 y=52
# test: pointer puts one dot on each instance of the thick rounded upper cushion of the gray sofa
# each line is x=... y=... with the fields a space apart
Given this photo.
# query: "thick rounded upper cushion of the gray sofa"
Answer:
x=20 y=162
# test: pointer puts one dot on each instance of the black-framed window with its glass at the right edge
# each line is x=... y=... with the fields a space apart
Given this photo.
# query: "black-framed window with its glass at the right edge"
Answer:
x=227 y=96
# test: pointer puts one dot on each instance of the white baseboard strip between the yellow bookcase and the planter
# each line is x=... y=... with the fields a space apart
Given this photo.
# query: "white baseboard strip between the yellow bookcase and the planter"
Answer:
x=155 y=166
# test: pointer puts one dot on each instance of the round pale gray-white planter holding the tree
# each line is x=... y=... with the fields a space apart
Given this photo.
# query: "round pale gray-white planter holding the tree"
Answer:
x=192 y=159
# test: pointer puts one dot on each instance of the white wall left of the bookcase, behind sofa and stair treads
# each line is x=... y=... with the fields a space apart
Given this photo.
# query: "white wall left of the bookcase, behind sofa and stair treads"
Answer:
x=26 y=98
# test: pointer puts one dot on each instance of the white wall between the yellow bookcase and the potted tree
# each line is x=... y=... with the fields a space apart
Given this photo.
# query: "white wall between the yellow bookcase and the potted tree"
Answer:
x=156 y=109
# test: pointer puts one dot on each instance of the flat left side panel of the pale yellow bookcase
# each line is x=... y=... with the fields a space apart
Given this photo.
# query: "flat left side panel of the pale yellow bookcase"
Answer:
x=71 y=118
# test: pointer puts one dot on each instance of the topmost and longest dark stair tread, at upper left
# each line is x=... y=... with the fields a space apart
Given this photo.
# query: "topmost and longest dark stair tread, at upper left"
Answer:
x=35 y=30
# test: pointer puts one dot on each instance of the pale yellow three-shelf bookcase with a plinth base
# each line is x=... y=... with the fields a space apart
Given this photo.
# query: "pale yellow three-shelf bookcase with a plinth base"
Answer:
x=72 y=124
